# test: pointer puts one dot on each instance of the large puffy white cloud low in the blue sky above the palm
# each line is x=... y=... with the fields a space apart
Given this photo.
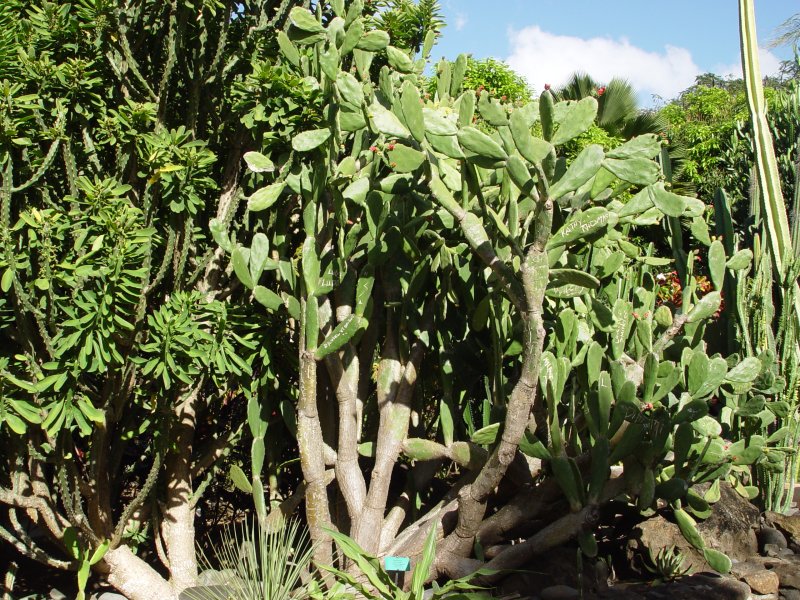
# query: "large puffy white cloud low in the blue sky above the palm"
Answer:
x=544 y=57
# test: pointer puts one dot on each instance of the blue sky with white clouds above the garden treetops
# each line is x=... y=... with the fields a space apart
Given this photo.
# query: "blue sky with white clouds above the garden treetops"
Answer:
x=658 y=46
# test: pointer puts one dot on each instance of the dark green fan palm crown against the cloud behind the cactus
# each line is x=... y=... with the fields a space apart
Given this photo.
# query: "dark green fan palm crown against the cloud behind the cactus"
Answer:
x=618 y=111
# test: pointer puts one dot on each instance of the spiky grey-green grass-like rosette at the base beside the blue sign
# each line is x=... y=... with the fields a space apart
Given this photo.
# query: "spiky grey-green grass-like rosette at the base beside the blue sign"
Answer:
x=256 y=562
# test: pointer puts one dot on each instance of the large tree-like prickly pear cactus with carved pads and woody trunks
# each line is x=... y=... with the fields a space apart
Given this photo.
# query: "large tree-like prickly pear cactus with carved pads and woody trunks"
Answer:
x=468 y=308
